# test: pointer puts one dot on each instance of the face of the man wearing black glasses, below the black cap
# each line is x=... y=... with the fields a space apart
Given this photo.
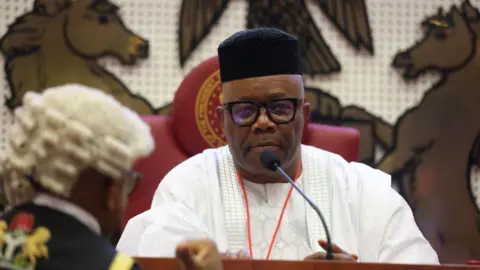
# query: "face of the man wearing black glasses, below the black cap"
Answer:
x=273 y=129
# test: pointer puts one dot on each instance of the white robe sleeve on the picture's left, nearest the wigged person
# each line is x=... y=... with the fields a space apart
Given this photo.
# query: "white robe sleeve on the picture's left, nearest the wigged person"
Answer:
x=177 y=213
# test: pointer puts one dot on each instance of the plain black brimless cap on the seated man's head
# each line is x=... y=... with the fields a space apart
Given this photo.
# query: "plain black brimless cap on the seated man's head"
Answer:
x=259 y=52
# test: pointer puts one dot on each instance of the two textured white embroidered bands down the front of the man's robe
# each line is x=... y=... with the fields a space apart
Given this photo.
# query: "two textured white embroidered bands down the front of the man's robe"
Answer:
x=316 y=180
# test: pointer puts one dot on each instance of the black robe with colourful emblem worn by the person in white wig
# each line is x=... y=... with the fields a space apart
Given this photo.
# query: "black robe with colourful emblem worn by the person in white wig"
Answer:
x=57 y=241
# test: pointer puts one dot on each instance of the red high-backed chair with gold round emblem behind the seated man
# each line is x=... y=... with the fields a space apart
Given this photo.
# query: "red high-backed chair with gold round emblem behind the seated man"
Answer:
x=194 y=127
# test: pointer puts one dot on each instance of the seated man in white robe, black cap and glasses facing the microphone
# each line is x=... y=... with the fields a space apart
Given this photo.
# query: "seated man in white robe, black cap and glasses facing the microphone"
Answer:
x=227 y=195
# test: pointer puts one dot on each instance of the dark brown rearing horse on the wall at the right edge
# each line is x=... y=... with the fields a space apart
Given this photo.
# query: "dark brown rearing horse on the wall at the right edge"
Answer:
x=436 y=142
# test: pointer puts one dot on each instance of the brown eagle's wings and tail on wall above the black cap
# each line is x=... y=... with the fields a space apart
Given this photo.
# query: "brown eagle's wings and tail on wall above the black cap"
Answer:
x=197 y=18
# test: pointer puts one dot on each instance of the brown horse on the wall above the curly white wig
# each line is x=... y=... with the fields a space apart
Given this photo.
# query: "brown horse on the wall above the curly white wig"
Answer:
x=43 y=46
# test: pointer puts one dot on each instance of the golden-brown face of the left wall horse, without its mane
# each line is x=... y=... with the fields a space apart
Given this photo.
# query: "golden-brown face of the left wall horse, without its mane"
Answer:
x=93 y=28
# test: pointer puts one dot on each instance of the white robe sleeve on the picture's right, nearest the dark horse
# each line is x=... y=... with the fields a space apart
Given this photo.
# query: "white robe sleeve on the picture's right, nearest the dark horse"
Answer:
x=388 y=232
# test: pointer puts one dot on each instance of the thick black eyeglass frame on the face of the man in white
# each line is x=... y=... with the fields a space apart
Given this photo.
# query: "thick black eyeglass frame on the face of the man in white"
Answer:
x=260 y=105
